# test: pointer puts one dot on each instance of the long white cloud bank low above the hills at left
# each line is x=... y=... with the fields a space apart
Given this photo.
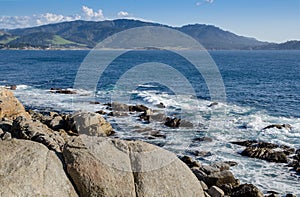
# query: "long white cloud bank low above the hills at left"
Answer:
x=12 y=22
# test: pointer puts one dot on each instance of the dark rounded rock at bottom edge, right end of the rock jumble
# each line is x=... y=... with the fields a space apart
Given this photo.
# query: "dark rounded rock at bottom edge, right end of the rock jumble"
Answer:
x=247 y=190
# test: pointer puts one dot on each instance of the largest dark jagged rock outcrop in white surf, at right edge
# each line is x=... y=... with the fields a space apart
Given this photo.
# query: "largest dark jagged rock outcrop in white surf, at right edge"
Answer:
x=272 y=153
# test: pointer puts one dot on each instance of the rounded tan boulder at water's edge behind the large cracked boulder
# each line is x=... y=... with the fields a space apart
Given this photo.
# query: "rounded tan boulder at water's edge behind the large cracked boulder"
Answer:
x=89 y=123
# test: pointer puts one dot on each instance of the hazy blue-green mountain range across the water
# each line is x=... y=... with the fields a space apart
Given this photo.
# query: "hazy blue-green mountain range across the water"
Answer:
x=86 y=34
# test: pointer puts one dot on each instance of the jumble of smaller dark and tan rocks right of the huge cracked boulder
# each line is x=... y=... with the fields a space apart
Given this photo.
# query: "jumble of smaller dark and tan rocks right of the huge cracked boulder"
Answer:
x=217 y=179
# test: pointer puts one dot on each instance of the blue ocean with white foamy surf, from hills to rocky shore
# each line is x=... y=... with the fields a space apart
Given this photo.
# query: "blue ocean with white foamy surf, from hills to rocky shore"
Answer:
x=262 y=88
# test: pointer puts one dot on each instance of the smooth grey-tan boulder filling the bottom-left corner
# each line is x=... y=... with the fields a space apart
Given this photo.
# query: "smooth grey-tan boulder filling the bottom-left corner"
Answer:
x=29 y=169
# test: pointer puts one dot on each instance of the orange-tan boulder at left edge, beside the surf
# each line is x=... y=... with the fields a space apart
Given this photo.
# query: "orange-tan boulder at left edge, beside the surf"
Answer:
x=10 y=107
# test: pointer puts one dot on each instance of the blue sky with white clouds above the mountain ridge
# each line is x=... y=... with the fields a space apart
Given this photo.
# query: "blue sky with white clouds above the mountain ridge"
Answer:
x=265 y=20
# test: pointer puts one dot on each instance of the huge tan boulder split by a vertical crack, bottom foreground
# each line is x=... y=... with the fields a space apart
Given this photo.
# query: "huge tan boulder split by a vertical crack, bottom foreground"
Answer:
x=107 y=167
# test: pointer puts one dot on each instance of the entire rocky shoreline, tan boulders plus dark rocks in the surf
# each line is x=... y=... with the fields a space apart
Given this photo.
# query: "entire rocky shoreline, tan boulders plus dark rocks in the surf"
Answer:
x=77 y=154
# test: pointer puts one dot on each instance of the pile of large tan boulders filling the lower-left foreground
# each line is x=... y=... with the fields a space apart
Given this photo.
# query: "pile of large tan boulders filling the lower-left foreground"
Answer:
x=69 y=155
